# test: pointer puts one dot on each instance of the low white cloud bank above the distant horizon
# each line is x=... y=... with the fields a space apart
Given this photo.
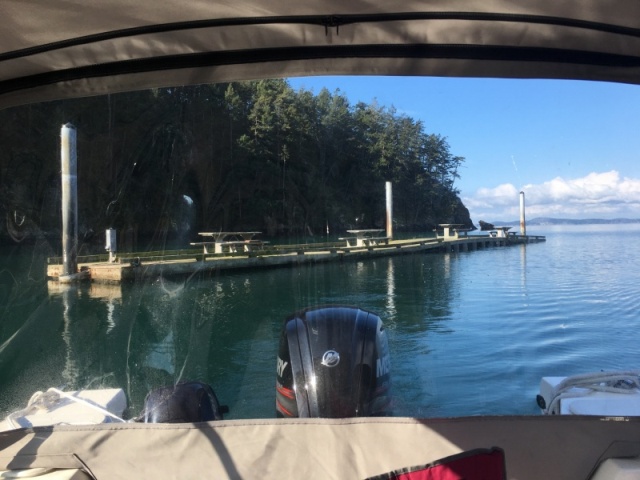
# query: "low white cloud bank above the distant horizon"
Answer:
x=597 y=195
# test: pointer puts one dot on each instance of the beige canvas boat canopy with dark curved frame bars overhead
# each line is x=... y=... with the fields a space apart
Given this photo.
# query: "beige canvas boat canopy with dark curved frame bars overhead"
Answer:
x=52 y=50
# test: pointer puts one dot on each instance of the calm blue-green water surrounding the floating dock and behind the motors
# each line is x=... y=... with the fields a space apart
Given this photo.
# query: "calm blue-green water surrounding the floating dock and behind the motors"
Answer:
x=470 y=333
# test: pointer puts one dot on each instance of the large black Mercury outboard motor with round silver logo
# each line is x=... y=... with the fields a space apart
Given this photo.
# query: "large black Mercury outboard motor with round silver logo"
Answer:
x=333 y=362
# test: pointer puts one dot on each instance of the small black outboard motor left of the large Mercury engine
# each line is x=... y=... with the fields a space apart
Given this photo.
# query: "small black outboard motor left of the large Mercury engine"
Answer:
x=183 y=403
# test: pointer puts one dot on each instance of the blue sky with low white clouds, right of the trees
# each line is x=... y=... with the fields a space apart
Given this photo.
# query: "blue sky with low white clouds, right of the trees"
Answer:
x=572 y=147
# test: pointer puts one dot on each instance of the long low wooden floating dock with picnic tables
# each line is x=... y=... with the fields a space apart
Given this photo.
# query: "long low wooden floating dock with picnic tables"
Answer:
x=128 y=267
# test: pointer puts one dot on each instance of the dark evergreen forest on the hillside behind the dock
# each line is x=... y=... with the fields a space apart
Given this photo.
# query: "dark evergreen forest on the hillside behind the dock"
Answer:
x=164 y=164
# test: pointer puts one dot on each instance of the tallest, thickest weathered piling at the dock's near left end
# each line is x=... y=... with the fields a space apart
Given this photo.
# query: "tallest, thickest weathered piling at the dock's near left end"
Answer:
x=69 y=172
